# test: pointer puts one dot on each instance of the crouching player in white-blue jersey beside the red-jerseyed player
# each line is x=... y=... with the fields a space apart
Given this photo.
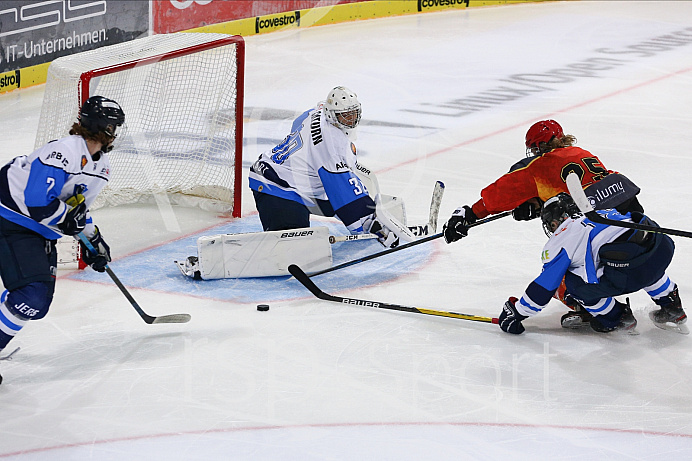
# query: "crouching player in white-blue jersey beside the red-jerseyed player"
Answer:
x=599 y=262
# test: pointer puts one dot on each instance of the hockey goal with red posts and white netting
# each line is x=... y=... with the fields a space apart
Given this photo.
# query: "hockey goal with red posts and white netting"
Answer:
x=182 y=95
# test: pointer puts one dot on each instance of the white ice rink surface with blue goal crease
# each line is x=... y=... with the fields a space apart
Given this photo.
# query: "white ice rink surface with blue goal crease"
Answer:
x=446 y=96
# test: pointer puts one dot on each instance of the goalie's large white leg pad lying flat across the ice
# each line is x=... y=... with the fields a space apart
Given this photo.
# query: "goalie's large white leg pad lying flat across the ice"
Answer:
x=263 y=254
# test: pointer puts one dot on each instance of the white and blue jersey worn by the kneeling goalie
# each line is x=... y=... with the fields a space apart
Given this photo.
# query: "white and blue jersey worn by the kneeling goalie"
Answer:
x=315 y=165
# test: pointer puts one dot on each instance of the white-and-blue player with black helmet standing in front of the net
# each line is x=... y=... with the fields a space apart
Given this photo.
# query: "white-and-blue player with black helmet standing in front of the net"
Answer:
x=44 y=196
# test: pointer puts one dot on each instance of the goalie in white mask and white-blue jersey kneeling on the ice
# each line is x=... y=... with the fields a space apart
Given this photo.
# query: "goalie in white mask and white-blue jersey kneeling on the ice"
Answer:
x=313 y=171
